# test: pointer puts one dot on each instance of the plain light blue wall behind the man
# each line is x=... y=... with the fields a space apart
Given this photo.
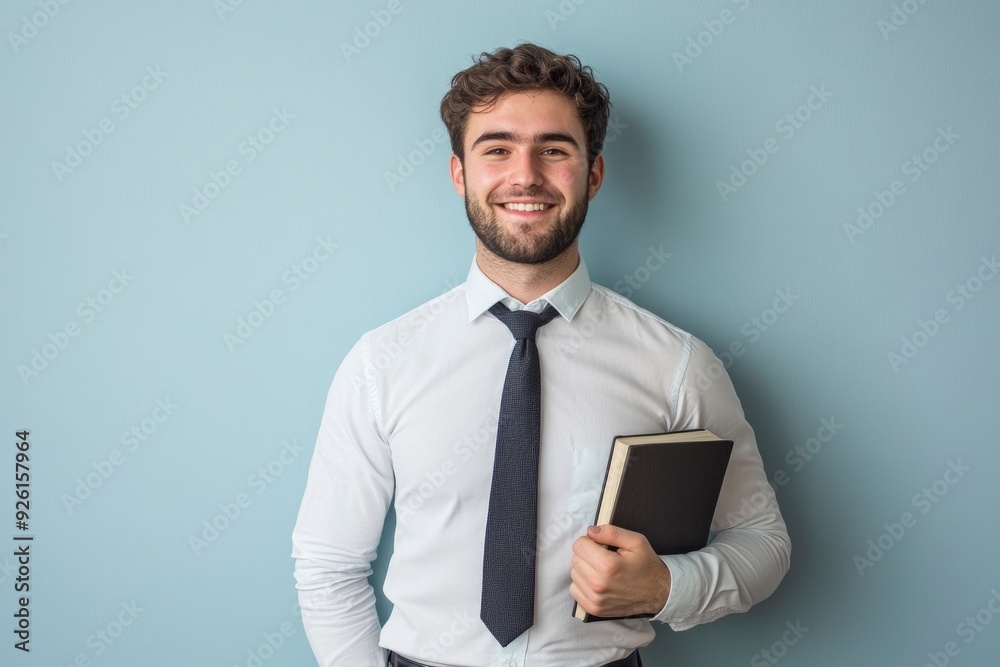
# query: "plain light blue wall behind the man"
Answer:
x=679 y=128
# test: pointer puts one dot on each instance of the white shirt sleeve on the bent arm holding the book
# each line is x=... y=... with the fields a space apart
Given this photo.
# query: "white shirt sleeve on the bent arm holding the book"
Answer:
x=749 y=553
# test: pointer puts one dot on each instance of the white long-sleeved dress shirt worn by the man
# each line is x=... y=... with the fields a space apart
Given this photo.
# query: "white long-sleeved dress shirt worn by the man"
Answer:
x=413 y=411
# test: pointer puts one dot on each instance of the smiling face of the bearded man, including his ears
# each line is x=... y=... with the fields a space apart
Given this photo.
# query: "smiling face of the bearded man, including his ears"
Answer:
x=527 y=152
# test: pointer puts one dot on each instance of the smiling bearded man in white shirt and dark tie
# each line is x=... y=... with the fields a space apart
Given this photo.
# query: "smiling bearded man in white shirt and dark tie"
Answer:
x=425 y=406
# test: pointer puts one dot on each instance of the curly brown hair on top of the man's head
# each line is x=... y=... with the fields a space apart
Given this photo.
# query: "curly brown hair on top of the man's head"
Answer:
x=526 y=67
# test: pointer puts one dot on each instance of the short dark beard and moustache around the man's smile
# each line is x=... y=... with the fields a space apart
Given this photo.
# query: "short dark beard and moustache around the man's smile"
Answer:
x=526 y=248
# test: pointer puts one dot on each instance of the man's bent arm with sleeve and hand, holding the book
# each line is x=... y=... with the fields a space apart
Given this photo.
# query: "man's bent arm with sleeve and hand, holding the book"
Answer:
x=741 y=566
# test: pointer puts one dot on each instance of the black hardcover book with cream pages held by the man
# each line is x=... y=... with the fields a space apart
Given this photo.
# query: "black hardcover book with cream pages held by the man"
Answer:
x=665 y=486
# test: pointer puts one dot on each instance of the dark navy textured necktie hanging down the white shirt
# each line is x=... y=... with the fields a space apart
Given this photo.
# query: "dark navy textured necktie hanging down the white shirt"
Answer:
x=508 y=602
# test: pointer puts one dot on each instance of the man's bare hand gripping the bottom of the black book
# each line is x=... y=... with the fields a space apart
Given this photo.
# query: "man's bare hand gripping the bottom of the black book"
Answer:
x=632 y=580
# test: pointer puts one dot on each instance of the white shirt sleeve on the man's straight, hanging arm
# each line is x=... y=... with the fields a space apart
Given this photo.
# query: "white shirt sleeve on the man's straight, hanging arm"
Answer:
x=340 y=520
